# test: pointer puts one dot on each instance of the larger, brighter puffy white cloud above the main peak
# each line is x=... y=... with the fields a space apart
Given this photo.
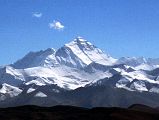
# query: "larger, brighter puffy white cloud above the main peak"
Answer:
x=56 y=25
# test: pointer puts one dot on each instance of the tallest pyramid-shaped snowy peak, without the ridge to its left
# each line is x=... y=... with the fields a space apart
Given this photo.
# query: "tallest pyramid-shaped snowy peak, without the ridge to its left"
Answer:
x=80 y=53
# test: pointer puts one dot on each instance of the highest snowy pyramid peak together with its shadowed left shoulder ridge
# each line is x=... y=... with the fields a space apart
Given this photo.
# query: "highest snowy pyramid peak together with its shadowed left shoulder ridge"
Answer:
x=77 y=53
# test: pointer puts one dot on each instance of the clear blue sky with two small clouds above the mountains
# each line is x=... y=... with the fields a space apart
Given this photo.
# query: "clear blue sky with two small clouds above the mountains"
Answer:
x=119 y=27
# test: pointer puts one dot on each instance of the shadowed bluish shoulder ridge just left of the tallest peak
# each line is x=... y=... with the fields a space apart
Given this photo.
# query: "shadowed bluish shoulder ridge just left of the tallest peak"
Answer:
x=35 y=59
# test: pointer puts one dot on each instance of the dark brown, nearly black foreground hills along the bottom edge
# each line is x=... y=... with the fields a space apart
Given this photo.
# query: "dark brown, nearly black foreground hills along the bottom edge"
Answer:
x=134 y=112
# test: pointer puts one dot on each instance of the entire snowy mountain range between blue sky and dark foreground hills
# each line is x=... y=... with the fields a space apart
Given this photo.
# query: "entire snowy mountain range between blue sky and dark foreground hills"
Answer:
x=80 y=74
